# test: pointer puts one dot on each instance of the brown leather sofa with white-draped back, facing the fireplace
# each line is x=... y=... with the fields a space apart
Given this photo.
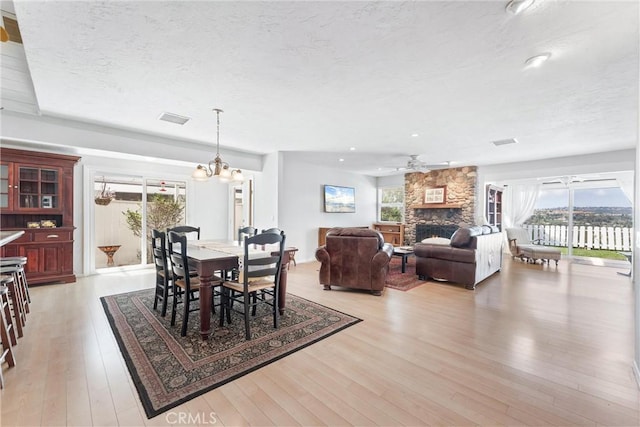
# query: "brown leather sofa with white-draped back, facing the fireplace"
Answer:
x=473 y=254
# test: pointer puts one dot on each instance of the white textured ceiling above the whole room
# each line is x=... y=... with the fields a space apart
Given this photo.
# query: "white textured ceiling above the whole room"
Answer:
x=321 y=77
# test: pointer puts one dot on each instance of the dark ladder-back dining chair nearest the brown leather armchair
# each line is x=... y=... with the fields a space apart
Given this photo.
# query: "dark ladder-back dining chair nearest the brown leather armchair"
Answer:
x=258 y=274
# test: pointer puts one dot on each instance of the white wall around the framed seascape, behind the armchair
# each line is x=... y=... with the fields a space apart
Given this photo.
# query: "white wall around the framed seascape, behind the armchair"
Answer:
x=301 y=202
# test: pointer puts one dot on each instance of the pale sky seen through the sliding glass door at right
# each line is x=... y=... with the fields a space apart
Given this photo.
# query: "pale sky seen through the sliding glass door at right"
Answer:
x=608 y=197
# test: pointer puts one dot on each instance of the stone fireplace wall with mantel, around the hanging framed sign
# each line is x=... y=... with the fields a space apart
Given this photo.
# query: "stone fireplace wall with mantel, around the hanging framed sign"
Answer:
x=457 y=210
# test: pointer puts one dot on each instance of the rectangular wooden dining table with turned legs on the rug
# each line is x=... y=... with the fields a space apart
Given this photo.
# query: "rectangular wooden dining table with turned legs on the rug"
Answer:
x=208 y=258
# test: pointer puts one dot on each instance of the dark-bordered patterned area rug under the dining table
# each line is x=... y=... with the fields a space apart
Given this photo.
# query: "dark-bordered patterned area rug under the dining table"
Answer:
x=168 y=369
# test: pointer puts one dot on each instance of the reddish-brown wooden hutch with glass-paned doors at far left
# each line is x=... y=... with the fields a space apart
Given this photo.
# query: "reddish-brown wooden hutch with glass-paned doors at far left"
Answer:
x=36 y=195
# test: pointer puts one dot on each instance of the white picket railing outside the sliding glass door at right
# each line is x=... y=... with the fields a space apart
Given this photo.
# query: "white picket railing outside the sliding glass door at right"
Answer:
x=588 y=237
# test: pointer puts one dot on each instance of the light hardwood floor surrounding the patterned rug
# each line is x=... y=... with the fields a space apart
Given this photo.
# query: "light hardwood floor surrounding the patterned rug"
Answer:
x=532 y=345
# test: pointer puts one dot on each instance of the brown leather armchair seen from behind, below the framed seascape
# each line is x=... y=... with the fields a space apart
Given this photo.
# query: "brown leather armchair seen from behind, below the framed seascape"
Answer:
x=354 y=258
